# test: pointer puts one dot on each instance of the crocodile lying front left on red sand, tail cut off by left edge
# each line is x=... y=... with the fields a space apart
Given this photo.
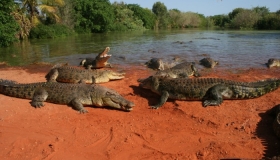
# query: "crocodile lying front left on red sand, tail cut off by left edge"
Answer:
x=75 y=95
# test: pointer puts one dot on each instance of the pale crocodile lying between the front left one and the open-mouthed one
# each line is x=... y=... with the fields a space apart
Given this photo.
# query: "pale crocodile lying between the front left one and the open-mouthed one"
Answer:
x=70 y=74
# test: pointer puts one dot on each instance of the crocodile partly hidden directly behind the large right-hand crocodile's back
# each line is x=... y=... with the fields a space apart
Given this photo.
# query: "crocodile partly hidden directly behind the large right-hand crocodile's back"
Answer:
x=182 y=70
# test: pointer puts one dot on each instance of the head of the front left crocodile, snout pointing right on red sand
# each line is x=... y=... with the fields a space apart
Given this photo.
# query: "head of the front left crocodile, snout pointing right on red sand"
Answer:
x=113 y=99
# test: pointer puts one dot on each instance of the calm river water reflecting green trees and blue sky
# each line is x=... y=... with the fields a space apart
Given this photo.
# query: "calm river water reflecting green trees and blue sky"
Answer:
x=233 y=49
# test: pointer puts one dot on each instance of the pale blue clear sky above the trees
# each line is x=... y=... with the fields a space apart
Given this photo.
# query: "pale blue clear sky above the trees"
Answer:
x=207 y=7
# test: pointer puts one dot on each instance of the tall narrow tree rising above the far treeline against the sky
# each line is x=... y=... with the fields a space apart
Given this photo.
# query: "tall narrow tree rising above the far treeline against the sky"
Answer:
x=160 y=10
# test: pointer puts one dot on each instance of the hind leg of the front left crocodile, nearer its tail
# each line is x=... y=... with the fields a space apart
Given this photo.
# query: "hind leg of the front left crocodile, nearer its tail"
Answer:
x=39 y=96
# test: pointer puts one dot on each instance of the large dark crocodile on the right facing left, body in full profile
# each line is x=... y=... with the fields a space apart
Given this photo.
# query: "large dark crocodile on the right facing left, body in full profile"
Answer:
x=212 y=91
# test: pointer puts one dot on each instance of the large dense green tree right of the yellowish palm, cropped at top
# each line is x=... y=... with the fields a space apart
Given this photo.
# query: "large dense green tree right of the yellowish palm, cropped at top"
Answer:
x=93 y=15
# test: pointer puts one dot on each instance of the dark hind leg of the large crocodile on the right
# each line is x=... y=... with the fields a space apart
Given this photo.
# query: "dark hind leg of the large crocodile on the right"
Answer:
x=214 y=96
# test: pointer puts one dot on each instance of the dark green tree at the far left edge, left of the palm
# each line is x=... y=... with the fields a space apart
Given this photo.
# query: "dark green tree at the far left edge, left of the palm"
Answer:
x=8 y=25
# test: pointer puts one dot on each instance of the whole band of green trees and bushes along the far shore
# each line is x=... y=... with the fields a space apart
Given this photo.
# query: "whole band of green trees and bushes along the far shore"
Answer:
x=23 y=19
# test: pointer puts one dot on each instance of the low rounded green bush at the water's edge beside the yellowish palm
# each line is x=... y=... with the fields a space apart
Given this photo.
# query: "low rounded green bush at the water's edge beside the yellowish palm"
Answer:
x=42 y=31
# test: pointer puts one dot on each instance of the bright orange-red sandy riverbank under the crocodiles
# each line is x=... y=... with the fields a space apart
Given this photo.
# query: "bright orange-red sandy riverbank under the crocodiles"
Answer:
x=178 y=130
